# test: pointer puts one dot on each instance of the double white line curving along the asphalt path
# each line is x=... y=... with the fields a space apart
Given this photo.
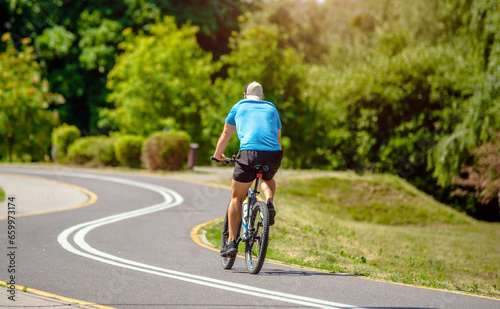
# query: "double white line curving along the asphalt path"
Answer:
x=172 y=199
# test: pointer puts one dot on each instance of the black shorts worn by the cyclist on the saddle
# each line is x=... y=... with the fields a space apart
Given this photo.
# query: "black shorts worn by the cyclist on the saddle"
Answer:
x=246 y=160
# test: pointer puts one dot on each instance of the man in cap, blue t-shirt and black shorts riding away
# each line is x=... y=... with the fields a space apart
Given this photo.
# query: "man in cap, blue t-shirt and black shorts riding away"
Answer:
x=258 y=127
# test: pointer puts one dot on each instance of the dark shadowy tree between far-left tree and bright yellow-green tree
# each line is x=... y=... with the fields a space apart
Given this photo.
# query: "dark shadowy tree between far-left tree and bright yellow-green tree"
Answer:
x=65 y=34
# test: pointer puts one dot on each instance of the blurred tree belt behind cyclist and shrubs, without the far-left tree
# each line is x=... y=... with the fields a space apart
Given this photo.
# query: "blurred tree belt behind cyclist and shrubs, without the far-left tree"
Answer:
x=408 y=88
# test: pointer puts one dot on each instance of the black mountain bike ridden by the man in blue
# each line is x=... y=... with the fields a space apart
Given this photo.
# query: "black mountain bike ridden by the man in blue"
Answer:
x=253 y=228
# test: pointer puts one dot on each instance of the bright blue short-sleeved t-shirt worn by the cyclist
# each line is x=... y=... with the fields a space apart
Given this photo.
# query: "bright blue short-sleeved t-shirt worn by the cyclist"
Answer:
x=257 y=124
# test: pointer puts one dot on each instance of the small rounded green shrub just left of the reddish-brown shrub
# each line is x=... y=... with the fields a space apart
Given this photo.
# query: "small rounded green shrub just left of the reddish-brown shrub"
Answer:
x=128 y=150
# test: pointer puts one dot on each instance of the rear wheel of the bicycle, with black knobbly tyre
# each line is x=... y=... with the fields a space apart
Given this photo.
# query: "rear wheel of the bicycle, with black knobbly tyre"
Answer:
x=256 y=244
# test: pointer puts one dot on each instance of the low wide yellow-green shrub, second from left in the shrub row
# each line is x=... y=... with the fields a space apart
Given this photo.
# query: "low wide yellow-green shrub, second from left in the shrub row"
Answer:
x=93 y=150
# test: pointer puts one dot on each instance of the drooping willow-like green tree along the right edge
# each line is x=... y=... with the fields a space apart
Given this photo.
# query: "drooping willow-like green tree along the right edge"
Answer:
x=478 y=25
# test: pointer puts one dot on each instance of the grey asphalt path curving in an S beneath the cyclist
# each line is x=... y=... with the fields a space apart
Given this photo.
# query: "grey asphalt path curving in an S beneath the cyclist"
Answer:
x=132 y=249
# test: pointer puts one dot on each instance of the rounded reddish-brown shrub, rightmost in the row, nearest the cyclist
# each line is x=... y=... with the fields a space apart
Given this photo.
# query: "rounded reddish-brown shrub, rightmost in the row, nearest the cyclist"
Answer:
x=166 y=150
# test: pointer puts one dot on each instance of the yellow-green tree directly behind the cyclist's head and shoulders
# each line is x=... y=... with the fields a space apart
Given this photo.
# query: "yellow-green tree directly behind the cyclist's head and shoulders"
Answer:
x=256 y=55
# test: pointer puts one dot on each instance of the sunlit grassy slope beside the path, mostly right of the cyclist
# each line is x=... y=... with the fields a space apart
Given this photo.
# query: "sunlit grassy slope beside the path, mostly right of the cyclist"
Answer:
x=381 y=227
